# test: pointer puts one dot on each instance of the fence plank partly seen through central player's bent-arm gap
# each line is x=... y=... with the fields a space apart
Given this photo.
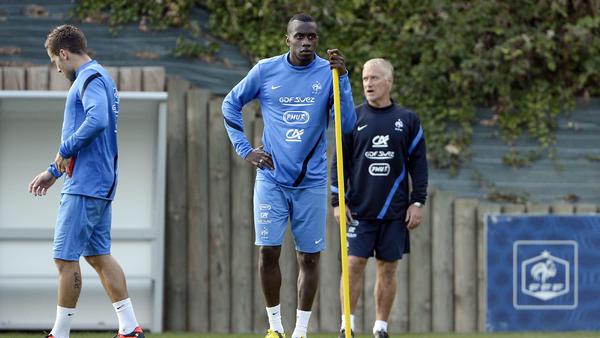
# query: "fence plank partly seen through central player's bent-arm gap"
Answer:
x=242 y=238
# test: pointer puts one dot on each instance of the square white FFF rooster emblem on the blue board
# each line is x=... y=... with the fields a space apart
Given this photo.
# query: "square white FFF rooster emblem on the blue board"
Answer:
x=545 y=274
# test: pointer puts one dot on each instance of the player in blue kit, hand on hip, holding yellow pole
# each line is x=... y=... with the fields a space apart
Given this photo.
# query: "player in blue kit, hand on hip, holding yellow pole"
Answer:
x=296 y=96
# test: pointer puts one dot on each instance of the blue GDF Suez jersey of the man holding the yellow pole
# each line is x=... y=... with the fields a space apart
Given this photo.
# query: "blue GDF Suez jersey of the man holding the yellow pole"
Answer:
x=297 y=105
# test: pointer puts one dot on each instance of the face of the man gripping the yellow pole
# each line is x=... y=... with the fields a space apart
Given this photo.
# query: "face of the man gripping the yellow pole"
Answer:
x=302 y=39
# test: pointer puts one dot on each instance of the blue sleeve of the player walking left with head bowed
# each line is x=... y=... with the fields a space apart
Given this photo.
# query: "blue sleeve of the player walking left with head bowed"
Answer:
x=95 y=105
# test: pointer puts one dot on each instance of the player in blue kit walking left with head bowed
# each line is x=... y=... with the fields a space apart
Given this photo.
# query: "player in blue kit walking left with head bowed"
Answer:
x=88 y=157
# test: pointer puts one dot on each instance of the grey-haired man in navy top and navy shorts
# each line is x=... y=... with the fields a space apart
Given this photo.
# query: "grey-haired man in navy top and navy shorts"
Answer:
x=385 y=147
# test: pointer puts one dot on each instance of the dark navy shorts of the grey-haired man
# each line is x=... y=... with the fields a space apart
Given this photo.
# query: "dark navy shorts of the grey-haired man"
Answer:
x=386 y=240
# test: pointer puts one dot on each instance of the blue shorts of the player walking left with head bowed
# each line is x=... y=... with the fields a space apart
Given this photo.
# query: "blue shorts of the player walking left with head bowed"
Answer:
x=82 y=227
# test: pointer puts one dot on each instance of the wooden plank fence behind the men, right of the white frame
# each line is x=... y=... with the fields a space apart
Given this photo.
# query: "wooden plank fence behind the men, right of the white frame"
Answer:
x=211 y=282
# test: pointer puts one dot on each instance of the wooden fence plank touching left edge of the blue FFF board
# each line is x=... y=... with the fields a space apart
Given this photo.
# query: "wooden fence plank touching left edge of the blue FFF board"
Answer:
x=482 y=211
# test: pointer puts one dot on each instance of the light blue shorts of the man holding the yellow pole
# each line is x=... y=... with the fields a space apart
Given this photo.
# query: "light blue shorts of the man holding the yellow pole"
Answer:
x=305 y=207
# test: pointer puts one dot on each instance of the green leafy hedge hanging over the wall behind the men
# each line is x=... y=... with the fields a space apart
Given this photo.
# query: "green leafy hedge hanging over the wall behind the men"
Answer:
x=527 y=60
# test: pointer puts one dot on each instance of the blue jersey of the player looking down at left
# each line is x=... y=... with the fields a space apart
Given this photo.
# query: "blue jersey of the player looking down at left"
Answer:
x=89 y=133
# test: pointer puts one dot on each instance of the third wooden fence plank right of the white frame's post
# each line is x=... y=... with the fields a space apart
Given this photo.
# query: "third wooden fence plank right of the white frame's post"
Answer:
x=220 y=220
